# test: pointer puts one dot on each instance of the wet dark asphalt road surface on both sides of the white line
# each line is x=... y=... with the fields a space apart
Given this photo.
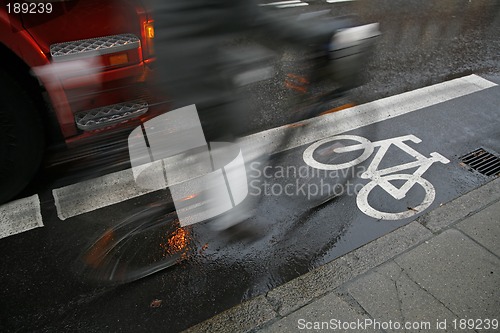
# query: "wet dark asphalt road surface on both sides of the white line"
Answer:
x=422 y=43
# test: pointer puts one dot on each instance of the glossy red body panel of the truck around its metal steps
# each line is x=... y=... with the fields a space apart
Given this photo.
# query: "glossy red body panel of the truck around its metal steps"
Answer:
x=30 y=36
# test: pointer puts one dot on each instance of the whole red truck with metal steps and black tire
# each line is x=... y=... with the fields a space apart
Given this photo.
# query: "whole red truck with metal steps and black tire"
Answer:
x=72 y=71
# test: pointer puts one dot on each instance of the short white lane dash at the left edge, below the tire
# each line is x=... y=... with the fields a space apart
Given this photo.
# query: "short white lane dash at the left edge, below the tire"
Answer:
x=20 y=215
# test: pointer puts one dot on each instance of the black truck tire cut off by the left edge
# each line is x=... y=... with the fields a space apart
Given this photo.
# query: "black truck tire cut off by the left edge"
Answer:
x=21 y=138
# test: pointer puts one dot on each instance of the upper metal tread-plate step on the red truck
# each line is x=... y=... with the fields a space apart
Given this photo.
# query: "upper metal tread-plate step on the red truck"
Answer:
x=93 y=47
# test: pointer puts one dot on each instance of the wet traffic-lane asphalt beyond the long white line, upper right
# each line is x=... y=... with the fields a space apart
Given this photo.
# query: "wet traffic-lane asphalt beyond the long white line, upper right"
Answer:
x=422 y=43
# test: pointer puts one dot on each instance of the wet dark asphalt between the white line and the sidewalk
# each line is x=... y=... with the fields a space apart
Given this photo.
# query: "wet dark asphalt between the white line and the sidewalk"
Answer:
x=283 y=240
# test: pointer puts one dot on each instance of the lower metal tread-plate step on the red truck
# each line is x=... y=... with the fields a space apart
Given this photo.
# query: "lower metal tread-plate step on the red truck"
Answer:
x=110 y=114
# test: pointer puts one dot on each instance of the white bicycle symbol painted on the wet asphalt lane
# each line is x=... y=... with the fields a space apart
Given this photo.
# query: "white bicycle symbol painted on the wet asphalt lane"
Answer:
x=382 y=177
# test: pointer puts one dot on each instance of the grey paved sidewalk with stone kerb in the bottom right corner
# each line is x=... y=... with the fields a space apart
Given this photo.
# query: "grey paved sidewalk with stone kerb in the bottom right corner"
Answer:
x=432 y=274
